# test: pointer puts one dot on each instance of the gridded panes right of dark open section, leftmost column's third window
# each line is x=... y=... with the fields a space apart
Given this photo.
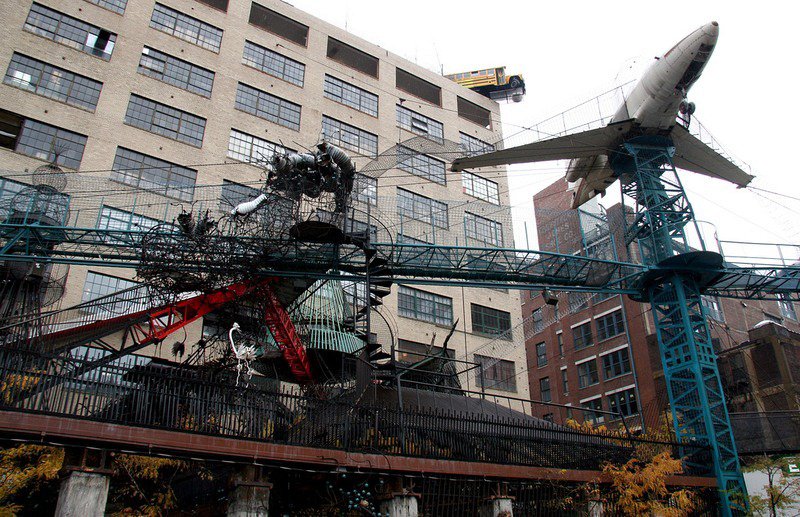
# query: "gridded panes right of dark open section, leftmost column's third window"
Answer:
x=49 y=143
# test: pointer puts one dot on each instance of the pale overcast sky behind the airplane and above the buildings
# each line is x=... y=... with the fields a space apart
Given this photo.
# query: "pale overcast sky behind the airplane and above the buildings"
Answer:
x=569 y=52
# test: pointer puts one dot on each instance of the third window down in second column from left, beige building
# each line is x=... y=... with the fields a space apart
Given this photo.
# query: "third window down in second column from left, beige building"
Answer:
x=165 y=120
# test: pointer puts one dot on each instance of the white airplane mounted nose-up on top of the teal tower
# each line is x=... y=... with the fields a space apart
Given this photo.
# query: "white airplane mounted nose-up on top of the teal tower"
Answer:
x=651 y=109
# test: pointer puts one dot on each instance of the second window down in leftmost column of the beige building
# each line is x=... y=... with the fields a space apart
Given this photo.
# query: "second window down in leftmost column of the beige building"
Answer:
x=53 y=82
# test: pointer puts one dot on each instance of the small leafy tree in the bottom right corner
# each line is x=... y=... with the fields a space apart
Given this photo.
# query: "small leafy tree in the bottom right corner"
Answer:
x=781 y=490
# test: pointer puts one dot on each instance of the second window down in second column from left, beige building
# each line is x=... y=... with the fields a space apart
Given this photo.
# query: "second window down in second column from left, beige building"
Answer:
x=176 y=72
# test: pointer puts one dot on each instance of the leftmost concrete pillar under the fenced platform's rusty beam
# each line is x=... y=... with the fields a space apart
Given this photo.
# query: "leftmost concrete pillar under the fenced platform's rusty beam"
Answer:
x=83 y=494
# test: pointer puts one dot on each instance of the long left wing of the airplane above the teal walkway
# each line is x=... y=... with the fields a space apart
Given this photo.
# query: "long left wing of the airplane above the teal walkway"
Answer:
x=577 y=145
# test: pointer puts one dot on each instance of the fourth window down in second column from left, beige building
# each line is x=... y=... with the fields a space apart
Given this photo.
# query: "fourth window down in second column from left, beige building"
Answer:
x=143 y=171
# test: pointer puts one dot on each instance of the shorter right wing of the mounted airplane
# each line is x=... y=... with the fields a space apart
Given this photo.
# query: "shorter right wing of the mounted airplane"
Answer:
x=694 y=155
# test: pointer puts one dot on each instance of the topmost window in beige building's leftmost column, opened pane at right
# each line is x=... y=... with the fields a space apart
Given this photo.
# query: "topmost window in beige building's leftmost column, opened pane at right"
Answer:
x=70 y=31
